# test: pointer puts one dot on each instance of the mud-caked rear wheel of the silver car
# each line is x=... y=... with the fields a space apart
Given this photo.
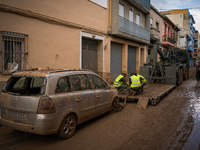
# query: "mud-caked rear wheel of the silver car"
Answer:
x=67 y=127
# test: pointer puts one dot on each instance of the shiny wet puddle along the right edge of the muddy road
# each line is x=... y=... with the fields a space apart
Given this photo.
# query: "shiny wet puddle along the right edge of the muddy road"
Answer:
x=187 y=136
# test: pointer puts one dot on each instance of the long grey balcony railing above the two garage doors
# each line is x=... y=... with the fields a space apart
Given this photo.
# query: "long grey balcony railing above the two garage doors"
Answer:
x=133 y=29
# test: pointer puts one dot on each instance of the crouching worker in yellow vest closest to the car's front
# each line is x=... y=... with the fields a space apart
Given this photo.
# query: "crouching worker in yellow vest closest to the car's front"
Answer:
x=120 y=82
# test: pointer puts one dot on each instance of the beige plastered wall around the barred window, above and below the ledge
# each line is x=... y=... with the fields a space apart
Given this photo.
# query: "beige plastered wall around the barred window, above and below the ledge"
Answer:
x=56 y=46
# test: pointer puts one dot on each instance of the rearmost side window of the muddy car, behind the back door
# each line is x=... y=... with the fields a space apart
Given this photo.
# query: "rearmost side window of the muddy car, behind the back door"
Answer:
x=63 y=85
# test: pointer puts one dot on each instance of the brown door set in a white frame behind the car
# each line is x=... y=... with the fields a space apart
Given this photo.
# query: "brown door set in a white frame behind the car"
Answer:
x=89 y=54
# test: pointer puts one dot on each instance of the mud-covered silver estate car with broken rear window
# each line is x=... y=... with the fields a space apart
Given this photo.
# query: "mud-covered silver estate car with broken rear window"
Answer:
x=54 y=102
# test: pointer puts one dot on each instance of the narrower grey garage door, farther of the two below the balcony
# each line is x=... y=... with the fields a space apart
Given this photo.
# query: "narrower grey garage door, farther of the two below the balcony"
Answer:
x=131 y=59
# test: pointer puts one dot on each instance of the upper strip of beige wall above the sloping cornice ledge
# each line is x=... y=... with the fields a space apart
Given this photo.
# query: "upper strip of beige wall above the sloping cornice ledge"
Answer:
x=66 y=10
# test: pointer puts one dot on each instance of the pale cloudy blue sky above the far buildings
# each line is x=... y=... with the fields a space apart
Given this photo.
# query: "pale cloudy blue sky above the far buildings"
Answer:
x=192 y=5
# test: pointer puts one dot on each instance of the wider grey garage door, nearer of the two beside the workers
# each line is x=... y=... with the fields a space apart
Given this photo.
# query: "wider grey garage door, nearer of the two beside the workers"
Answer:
x=116 y=60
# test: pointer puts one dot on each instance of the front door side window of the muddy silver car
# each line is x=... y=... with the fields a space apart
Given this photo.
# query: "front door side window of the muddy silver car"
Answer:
x=97 y=83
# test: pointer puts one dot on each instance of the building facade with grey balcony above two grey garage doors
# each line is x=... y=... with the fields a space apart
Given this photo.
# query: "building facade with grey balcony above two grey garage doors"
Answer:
x=129 y=35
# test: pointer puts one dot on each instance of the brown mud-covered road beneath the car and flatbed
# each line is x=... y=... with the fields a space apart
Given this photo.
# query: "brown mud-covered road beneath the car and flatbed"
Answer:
x=173 y=124
